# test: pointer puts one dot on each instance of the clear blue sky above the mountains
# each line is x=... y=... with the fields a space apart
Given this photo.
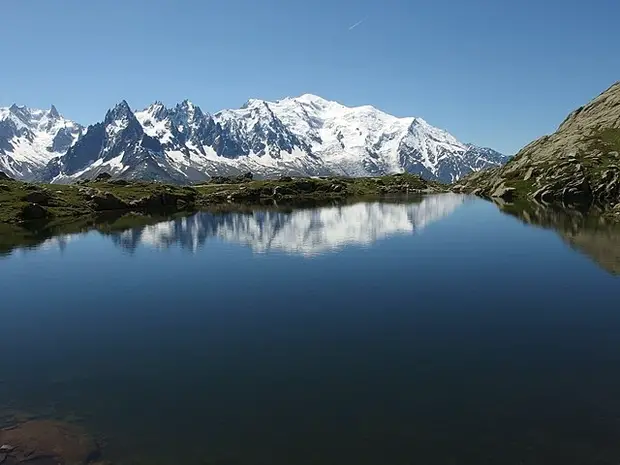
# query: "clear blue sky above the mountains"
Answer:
x=494 y=72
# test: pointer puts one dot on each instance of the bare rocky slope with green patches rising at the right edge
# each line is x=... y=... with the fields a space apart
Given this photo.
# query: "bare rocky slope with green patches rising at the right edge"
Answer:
x=578 y=164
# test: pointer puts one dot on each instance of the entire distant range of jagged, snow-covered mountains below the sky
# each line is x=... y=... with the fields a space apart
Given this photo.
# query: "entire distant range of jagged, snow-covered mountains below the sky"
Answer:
x=302 y=136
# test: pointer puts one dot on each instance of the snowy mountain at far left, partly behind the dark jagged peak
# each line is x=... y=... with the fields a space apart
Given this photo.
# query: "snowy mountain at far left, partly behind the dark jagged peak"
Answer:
x=30 y=138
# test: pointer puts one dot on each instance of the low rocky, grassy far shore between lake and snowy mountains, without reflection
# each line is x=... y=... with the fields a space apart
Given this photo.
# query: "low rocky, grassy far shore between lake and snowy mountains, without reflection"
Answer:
x=22 y=203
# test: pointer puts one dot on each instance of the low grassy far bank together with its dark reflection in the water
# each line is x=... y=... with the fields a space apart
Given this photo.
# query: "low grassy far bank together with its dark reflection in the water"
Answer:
x=31 y=213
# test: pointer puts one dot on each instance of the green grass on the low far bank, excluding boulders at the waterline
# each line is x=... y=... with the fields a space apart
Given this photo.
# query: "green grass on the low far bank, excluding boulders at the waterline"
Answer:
x=73 y=201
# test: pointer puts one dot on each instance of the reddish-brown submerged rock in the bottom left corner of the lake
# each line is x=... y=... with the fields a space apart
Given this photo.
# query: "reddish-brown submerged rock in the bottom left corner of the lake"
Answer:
x=43 y=442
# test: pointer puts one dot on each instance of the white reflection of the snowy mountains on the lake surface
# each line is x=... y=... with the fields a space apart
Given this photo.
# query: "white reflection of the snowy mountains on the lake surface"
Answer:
x=301 y=232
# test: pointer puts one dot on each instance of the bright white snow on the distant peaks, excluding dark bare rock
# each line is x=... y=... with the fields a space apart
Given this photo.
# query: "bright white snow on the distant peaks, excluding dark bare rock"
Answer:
x=351 y=141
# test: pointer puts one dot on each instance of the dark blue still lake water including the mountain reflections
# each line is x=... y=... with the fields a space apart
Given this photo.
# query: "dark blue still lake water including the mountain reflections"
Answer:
x=436 y=332
